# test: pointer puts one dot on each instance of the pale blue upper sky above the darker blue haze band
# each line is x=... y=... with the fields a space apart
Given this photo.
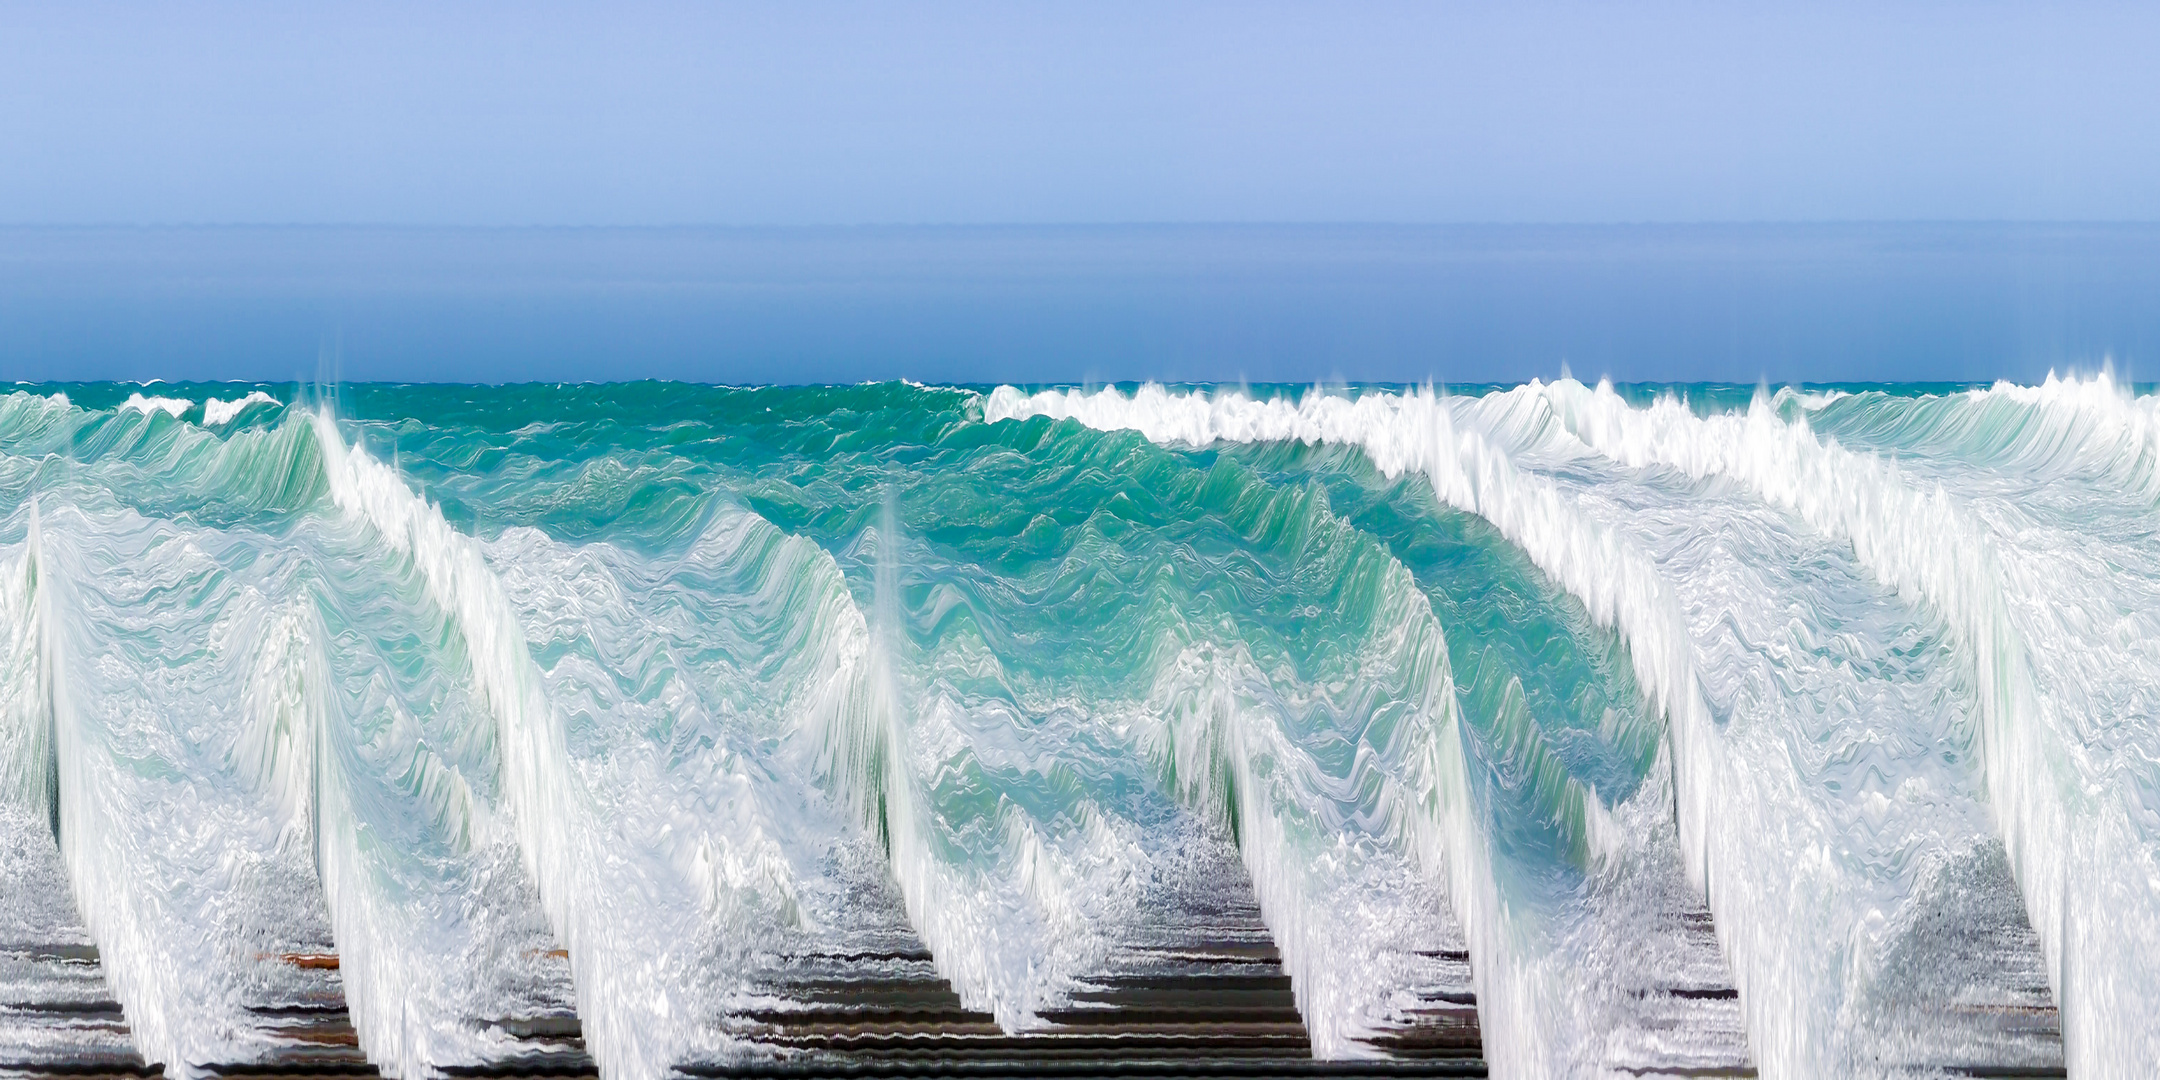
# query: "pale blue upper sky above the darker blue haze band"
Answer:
x=828 y=113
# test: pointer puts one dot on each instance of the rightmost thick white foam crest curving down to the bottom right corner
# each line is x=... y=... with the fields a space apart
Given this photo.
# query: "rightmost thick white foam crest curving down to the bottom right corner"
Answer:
x=2010 y=591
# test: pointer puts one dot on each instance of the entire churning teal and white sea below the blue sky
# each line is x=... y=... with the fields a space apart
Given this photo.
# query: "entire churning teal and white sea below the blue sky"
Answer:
x=1578 y=731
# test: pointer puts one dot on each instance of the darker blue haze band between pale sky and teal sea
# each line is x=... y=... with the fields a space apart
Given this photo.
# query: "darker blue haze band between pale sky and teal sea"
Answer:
x=1459 y=303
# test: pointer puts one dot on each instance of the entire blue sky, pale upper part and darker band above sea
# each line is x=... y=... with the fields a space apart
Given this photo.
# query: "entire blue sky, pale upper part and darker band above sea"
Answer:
x=1628 y=154
